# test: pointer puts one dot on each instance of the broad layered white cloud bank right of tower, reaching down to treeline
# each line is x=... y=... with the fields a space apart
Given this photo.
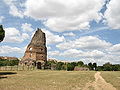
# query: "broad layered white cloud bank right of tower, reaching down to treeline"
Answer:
x=89 y=49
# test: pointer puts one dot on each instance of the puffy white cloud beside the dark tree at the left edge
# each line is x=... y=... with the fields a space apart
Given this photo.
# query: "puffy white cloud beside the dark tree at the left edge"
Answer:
x=13 y=35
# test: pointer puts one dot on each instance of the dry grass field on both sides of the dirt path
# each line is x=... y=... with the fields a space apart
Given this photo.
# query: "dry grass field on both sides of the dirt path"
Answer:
x=55 y=80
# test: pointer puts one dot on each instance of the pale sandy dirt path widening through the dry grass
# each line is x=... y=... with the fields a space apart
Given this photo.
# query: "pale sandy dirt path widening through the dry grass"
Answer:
x=99 y=84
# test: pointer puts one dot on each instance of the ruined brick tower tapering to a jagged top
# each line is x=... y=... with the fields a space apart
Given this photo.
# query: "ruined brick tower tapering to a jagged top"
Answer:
x=36 y=51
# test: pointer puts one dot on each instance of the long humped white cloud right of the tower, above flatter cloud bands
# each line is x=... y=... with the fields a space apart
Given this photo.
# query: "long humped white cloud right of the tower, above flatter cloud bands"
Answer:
x=85 y=43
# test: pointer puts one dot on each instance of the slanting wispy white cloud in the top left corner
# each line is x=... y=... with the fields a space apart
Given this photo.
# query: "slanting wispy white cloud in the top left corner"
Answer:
x=13 y=10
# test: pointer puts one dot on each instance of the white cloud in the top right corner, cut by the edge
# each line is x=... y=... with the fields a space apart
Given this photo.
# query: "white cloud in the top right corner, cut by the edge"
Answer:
x=112 y=14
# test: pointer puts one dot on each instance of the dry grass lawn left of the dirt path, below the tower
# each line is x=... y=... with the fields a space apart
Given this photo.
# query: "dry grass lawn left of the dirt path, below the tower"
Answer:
x=46 y=80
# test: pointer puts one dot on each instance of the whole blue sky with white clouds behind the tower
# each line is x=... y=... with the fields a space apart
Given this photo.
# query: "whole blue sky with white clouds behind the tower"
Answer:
x=76 y=30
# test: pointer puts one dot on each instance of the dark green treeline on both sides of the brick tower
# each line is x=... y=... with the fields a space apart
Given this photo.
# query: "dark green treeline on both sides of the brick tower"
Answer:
x=69 y=66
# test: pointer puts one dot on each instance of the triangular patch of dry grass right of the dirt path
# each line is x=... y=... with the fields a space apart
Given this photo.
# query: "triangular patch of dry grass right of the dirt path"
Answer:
x=112 y=77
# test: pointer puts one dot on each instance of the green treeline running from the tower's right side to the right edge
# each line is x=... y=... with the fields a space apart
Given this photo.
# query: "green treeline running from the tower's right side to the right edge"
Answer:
x=54 y=65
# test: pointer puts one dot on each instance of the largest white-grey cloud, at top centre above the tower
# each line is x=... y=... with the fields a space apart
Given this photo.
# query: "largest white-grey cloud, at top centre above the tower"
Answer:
x=60 y=15
